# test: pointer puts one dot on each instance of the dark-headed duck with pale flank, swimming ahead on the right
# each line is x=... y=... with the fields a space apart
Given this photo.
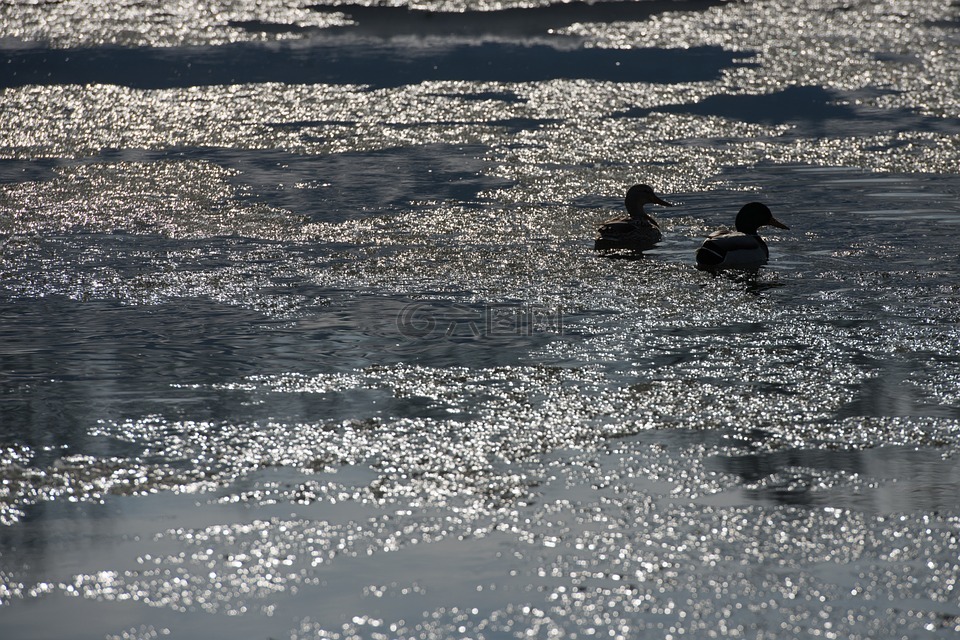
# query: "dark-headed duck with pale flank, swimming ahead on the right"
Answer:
x=743 y=248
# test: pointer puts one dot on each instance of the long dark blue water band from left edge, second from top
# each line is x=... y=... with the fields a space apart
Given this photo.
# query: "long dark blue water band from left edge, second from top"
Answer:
x=355 y=62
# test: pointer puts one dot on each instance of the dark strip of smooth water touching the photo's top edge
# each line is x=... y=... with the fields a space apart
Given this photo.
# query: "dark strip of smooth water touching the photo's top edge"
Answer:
x=390 y=21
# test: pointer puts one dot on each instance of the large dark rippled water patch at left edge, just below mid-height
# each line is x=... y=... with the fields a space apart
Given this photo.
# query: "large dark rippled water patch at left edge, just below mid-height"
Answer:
x=65 y=364
